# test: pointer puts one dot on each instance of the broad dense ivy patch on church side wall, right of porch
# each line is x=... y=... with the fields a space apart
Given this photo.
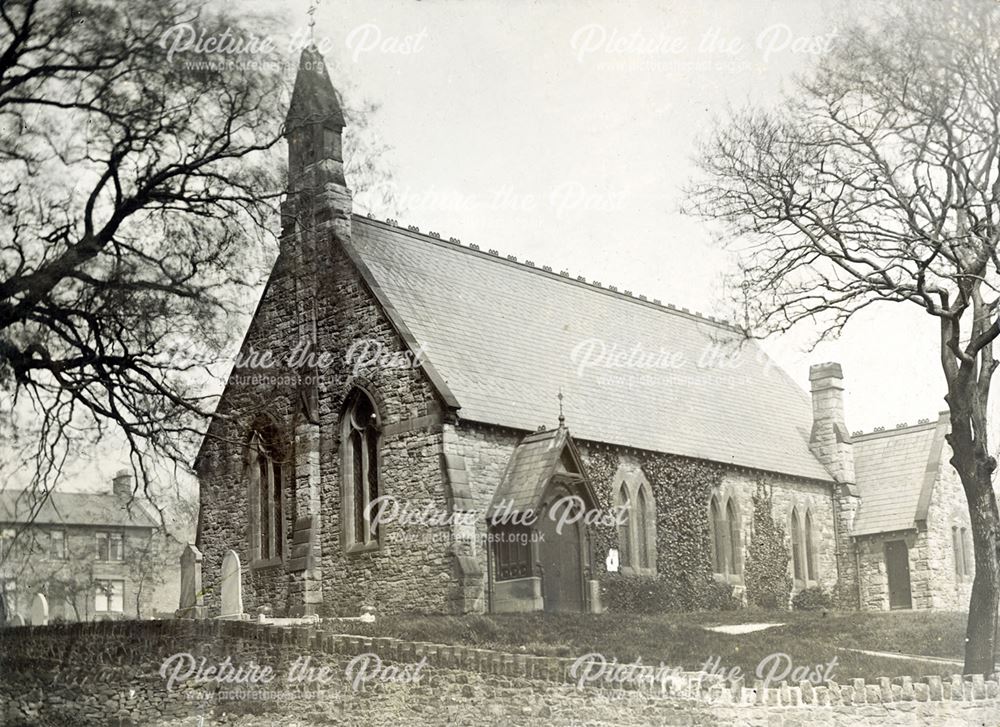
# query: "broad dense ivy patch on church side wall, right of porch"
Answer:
x=681 y=490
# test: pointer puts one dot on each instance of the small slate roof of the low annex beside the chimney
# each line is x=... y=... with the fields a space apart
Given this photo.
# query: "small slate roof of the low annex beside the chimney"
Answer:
x=895 y=471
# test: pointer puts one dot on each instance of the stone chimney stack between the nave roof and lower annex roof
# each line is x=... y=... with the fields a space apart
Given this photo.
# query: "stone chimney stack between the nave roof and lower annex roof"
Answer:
x=830 y=441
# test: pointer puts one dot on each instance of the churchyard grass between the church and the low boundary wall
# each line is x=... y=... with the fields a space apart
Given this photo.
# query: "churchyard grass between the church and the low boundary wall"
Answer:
x=681 y=640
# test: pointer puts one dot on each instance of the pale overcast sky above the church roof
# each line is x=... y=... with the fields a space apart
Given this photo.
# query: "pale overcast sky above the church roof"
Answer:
x=563 y=132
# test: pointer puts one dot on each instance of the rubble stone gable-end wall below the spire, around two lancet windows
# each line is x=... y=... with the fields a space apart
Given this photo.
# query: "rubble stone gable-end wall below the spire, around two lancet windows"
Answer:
x=400 y=575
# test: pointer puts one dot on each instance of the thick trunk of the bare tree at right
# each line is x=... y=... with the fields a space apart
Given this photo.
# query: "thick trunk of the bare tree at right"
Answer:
x=975 y=469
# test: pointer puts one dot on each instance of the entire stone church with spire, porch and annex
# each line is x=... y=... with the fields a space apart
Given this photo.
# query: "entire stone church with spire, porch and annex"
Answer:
x=448 y=429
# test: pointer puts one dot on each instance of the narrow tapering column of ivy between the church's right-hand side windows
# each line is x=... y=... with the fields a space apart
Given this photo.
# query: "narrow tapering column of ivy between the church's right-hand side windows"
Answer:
x=765 y=574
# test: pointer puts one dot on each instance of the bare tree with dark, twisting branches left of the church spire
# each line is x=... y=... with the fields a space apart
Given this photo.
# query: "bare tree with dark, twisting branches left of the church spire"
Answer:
x=135 y=189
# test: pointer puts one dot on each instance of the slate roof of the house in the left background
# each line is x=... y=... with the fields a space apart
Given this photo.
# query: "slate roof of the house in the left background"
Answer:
x=74 y=508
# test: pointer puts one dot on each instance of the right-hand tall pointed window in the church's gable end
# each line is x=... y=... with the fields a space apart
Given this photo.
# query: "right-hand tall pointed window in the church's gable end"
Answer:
x=360 y=465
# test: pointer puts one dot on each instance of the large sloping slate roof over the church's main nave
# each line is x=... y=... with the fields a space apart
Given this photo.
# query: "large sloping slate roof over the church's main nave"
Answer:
x=504 y=338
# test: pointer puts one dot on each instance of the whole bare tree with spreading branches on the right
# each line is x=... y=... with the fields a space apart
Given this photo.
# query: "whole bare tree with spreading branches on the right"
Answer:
x=878 y=181
